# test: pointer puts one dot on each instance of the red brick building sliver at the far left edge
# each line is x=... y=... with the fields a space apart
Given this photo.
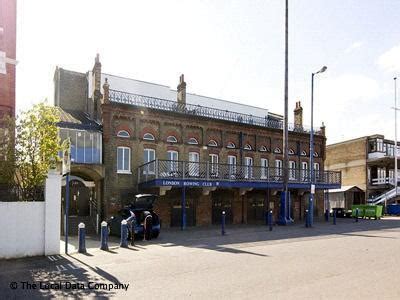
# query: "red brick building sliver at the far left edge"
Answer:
x=7 y=56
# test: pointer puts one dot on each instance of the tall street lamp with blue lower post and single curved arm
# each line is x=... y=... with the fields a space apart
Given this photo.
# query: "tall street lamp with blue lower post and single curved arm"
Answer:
x=312 y=185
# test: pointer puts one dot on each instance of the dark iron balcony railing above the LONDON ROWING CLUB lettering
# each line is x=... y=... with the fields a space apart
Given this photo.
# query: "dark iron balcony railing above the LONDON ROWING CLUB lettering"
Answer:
x=173 y=169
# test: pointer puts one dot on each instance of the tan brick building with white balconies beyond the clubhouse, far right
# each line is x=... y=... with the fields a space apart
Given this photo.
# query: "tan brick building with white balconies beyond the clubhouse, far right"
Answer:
x=366 y=162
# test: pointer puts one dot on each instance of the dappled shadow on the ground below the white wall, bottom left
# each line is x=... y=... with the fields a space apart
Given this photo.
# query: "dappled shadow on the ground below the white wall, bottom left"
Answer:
x=61 y=277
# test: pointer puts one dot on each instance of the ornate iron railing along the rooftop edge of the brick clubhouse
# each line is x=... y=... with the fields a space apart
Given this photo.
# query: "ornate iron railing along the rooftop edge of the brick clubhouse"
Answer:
x=203 y=111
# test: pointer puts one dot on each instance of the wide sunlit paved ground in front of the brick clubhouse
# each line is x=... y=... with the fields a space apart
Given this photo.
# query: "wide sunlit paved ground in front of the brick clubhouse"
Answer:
x=345 y=261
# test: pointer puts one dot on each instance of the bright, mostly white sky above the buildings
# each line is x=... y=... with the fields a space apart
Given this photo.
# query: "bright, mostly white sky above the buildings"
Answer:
x=232 y=50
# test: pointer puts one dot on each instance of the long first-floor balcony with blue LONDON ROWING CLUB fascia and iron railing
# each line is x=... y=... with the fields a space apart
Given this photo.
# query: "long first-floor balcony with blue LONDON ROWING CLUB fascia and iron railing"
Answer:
x=205 y=174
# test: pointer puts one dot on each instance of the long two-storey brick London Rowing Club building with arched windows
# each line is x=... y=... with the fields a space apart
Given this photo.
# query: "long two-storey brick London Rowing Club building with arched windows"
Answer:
x=198 y=153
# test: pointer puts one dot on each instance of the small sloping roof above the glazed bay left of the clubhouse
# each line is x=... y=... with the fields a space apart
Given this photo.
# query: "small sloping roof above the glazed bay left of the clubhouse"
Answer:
x=76 y=120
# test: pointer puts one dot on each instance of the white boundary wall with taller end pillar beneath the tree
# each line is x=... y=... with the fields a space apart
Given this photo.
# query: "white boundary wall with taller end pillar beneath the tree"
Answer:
x=32 y=228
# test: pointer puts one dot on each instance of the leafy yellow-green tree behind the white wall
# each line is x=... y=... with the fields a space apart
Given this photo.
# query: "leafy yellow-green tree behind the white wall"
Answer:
x=37 y=144
